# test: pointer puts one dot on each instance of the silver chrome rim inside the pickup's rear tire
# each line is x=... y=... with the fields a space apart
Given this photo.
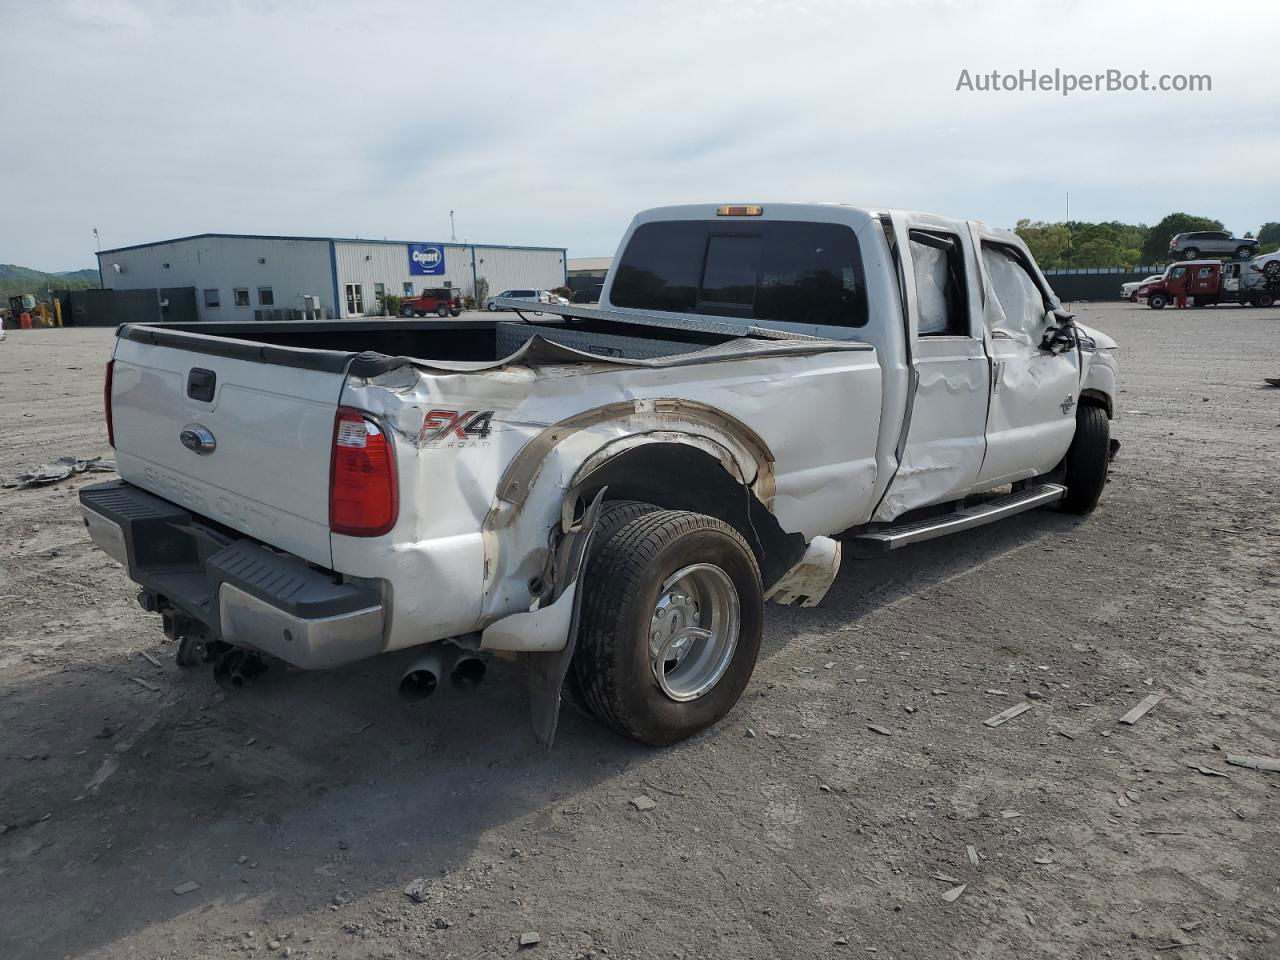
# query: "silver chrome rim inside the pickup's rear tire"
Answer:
x=694 y=632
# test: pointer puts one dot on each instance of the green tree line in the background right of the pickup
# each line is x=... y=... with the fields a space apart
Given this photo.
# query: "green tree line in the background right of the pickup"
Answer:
x=1077 y=244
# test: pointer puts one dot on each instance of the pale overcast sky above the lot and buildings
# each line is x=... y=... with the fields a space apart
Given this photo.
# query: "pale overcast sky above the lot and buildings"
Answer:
x=555 y=122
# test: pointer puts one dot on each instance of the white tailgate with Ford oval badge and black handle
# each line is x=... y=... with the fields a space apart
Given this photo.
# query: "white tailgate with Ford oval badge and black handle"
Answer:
x=272 y=431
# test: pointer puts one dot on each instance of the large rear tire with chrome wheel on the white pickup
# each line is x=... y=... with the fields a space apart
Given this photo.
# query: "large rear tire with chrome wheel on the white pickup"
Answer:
x=629 y=584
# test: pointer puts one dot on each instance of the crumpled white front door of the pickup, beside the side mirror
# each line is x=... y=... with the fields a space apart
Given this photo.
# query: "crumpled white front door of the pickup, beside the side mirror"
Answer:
x=1035 y=392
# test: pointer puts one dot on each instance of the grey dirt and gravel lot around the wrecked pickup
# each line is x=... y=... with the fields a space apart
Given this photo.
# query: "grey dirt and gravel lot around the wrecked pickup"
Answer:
x=304 y=804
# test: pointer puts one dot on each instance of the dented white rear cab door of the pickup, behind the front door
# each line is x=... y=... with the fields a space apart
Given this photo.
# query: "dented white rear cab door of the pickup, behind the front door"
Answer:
x=945 y=435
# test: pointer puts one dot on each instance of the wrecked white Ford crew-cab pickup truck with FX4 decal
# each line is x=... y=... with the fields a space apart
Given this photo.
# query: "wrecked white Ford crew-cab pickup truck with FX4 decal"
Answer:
x=614 y=491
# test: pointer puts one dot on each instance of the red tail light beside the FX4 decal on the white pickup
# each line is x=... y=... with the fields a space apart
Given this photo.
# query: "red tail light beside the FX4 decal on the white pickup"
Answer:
x=364 y=499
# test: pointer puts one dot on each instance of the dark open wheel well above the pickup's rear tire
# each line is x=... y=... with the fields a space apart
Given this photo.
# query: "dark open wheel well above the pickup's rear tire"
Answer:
x=678 y=477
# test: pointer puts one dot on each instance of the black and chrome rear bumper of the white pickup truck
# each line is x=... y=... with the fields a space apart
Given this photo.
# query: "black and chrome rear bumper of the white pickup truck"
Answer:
x=236 y=589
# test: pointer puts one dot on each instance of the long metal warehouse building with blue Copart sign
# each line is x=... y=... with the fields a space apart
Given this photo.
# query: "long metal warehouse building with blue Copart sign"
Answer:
x=249 y=277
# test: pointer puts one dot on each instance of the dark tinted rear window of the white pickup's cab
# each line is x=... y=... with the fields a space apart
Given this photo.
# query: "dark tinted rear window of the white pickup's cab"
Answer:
x=783 y=271
